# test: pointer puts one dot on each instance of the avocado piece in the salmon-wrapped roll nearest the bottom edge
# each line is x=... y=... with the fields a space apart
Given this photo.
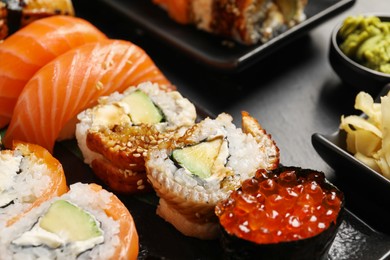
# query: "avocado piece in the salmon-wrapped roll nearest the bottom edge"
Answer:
x=68 y=220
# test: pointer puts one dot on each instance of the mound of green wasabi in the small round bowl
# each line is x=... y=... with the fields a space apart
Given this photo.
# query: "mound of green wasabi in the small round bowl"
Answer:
x=366 y=40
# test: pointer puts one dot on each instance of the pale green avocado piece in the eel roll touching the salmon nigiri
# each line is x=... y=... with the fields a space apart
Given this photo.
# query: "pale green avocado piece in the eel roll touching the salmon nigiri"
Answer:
x=142 y=108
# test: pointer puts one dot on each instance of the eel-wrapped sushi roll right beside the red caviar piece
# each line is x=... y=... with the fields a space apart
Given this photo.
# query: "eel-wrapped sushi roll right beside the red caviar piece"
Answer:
x=192 y=173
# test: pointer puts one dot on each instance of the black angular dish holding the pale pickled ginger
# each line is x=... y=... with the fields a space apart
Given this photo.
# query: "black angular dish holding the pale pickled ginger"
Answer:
x=368 y=190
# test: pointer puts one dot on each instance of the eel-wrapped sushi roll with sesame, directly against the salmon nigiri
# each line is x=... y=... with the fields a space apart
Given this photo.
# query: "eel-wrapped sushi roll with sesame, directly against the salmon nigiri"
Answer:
x=115 y=135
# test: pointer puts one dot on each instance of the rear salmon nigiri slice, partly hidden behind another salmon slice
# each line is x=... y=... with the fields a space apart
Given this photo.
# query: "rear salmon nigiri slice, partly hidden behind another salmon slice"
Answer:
x=27 y=50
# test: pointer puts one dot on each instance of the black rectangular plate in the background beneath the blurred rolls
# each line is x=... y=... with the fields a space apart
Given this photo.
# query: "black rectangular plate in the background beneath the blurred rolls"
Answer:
x=211 y=50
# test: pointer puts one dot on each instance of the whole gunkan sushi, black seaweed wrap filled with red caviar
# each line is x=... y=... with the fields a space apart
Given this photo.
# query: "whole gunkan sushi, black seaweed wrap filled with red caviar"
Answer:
x=287 y=213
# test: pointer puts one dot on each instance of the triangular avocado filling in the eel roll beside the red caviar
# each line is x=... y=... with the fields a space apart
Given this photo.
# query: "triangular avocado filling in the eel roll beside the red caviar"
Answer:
x=198 y=159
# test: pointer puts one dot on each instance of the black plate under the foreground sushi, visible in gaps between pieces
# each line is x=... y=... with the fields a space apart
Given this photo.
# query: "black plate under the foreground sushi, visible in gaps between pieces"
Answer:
x=160 y=240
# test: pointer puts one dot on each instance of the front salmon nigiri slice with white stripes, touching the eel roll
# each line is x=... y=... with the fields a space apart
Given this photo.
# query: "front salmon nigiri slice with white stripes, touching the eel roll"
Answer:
x=47 y=108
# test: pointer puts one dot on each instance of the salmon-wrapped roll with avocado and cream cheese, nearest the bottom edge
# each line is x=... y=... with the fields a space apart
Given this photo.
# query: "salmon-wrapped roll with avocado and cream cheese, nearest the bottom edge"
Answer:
x=87 y=222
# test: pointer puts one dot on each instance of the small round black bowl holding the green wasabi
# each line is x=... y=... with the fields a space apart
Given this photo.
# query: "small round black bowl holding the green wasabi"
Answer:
x=353 y=73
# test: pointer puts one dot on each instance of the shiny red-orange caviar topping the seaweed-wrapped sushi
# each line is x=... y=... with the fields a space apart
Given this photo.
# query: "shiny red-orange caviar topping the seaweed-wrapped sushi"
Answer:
x=277 y=207
